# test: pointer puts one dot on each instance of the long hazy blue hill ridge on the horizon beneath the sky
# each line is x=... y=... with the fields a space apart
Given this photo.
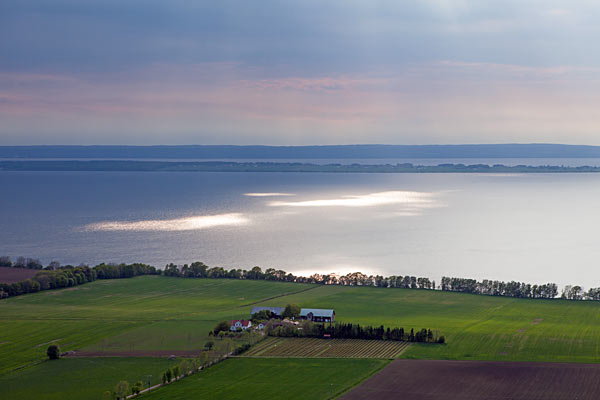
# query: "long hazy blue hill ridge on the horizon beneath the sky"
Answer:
x=299 y=152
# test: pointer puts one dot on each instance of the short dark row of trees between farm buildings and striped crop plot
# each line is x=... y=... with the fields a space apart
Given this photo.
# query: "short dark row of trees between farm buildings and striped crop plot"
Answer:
x=342 y=330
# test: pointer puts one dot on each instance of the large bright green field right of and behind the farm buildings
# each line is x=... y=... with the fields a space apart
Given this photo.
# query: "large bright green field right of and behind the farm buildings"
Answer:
x=475 y=327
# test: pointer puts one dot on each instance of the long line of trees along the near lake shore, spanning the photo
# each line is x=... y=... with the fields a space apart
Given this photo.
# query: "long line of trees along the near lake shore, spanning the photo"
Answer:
x=70 y=276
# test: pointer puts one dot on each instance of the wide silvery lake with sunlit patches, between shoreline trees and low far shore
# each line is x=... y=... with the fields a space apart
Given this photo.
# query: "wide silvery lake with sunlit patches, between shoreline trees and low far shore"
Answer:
x=535 y=227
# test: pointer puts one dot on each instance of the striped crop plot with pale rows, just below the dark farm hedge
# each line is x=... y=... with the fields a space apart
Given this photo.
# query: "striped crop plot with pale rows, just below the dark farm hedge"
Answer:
x=326 y=348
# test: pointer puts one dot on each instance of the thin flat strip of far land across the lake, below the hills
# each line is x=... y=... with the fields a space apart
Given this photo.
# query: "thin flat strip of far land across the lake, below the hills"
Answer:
x=228 y=166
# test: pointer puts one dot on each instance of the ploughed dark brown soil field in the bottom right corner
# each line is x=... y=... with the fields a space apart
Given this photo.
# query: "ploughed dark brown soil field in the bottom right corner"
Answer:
x=473 y=380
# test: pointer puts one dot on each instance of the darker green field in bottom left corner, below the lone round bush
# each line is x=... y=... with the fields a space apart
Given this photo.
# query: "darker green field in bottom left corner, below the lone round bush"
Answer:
x=80 y=378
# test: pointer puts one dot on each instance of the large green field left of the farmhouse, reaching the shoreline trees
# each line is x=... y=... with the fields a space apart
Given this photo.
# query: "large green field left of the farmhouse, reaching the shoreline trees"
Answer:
x=124 y=313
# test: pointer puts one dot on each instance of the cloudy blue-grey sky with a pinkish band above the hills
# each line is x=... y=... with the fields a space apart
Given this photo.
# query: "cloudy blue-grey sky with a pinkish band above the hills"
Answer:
x=299 y=72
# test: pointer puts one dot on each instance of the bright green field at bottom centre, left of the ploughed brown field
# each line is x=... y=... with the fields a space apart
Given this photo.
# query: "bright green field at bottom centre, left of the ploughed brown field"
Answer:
x=253 y=378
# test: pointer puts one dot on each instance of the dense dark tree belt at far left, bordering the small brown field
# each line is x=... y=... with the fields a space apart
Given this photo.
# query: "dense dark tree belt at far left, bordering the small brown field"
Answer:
x=56 y=277
